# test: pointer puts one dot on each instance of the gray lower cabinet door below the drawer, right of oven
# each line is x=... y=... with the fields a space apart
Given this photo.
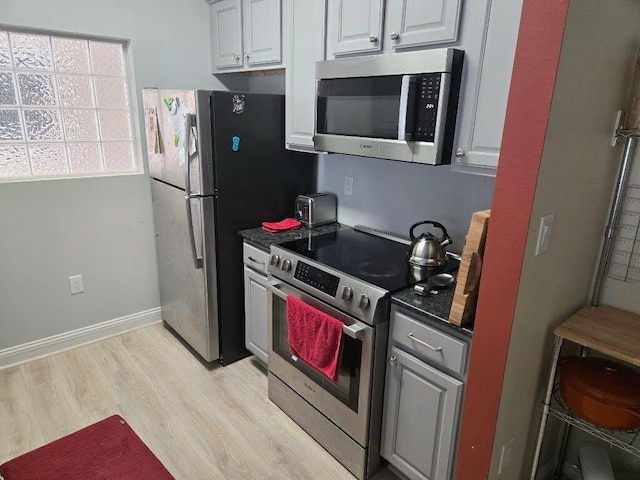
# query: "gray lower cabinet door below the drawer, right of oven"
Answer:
x=420 y=417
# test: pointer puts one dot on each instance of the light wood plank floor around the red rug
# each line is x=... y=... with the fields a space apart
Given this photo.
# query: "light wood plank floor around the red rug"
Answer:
x=202 y=423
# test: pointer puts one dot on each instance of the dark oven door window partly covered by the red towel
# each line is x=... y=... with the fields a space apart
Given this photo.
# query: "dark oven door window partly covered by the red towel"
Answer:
x=347 y=388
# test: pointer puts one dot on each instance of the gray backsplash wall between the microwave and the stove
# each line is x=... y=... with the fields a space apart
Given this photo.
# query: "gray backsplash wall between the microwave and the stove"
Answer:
x=392 y=195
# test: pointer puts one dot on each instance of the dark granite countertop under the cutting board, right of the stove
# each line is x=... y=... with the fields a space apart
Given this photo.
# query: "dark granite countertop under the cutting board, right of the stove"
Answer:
x=435 y=307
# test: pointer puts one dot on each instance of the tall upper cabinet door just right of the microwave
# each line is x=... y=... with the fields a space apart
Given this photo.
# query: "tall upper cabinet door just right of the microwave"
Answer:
x=484 y=103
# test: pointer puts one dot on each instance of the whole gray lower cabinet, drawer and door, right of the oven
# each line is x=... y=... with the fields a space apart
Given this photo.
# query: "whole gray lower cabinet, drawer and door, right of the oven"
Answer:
x=422 y=402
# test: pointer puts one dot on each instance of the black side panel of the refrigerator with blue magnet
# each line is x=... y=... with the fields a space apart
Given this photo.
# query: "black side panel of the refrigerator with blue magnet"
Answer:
x=256 y=180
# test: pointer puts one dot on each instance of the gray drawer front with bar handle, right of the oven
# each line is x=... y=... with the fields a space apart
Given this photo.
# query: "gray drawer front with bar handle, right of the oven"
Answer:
x=429 y=343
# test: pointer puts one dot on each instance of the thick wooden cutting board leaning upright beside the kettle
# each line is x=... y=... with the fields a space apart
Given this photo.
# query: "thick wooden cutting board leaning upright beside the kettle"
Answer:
x=465 y=296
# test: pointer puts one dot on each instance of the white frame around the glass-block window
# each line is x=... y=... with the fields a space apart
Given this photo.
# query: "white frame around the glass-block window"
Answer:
x=133 y=108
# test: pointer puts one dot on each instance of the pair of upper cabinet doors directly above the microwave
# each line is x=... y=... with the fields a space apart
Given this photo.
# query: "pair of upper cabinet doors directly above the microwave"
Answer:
x=356 y=26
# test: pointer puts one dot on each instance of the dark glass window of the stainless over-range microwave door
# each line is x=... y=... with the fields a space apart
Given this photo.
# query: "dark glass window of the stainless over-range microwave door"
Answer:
x=360 y=107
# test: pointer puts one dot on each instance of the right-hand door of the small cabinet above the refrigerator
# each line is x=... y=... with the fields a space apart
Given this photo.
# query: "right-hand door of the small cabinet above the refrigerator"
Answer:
x=262 y=32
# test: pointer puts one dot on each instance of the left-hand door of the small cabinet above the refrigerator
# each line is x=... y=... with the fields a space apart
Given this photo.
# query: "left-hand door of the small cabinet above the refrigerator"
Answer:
x=225 y=23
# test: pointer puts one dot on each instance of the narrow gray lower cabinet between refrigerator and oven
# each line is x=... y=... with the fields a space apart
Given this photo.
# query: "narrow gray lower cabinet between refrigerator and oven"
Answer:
x=255 y=301
